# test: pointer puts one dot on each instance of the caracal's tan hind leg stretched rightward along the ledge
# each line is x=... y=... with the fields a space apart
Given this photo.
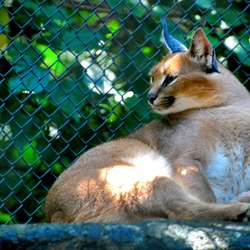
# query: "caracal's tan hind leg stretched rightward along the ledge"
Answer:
x=169 y=200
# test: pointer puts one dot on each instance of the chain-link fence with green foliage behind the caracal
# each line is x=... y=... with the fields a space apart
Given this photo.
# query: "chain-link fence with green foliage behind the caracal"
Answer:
x=74 y=74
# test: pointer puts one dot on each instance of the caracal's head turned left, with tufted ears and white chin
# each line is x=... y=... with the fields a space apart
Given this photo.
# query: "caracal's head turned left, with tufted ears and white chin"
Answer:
x=182 y=80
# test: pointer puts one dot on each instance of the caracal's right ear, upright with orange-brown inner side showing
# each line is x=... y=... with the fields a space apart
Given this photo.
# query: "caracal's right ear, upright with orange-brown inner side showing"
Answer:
x=203 y=51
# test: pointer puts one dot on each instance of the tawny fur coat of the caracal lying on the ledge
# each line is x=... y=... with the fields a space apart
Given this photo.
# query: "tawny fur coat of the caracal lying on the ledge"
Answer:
x=193 y=164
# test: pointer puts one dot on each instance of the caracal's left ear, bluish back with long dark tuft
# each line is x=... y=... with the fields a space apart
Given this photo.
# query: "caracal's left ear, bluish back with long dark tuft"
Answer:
x=171 y=43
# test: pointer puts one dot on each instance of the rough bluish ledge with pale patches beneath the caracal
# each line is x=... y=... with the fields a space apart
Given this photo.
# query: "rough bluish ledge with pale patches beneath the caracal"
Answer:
x=145 y=235
